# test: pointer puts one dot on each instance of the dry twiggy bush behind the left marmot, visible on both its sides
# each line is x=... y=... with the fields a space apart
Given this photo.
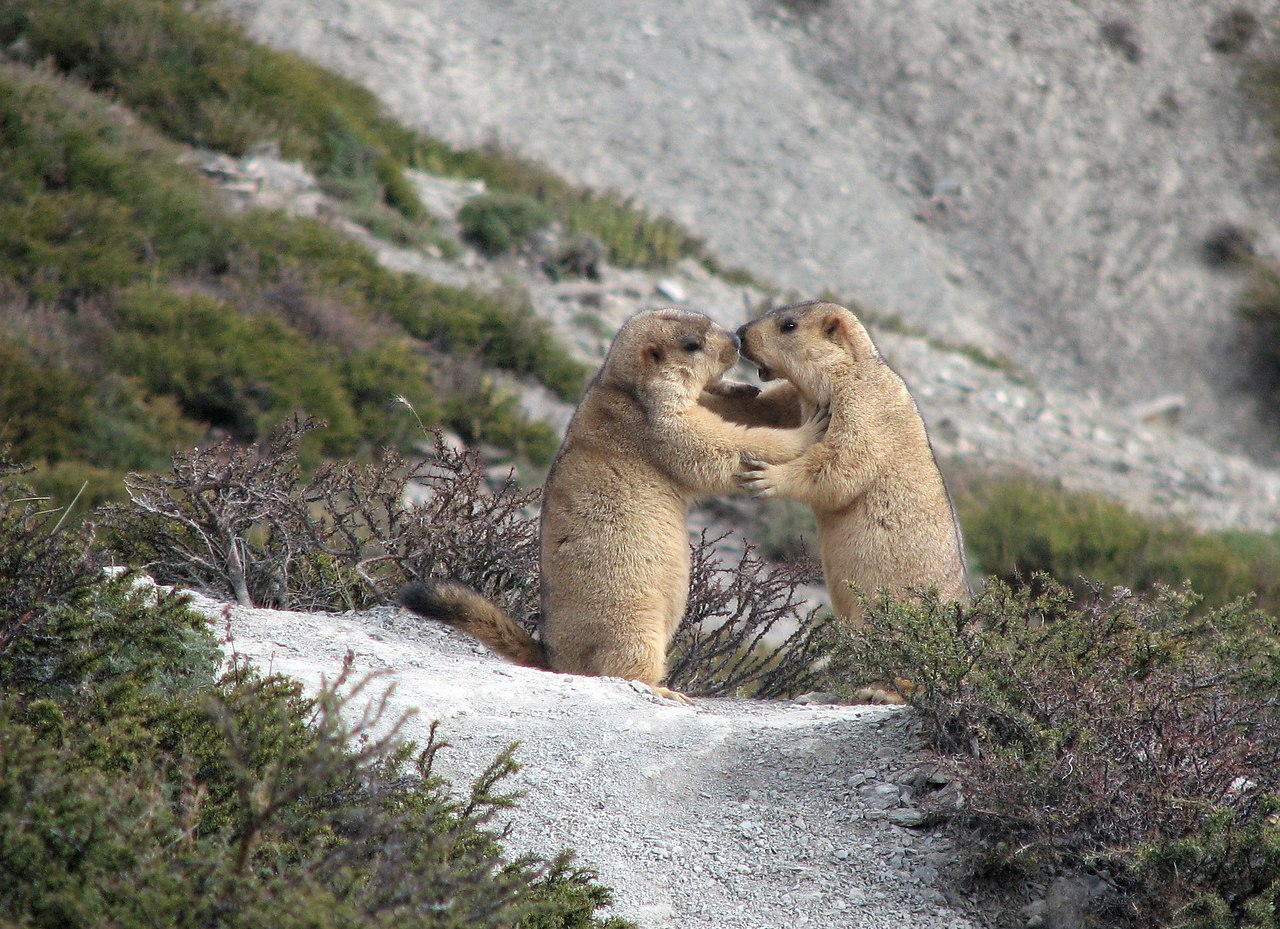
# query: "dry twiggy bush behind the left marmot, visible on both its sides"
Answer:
x=246 y=525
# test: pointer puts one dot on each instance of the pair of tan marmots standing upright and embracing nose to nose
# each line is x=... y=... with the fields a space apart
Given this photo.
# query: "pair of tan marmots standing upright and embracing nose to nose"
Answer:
x=657 y=428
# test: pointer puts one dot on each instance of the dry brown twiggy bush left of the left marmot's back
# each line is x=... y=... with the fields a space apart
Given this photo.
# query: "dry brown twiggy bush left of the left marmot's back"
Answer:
x=245 y=524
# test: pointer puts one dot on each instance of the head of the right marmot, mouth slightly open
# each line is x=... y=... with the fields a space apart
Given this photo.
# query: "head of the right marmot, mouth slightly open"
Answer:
x=807 y=344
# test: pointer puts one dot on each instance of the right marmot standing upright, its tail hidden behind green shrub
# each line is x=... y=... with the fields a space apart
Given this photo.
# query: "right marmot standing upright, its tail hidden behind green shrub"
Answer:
x=885 y=519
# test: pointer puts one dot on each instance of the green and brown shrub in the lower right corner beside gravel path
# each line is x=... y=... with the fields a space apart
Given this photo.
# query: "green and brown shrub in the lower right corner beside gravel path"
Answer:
x=1090 y=730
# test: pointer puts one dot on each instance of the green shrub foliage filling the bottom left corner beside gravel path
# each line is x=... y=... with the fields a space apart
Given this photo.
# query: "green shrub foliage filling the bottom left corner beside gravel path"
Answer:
x=140 y=785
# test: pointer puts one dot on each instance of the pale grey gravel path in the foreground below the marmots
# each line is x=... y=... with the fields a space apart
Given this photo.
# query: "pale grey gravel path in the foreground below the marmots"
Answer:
x=728 y=813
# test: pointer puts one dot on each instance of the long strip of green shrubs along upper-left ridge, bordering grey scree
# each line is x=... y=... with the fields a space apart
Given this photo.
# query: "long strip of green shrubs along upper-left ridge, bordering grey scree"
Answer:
x=200 y=80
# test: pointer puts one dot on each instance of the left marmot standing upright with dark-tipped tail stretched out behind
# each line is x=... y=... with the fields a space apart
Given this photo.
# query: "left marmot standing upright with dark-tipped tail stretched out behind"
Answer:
x=615 y=542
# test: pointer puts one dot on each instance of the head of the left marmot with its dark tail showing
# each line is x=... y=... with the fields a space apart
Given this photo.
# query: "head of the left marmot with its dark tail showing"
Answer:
x=669 y=355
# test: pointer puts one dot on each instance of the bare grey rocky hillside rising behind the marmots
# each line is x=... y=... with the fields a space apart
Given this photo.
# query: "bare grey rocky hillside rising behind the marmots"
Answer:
x=1031 y=182
